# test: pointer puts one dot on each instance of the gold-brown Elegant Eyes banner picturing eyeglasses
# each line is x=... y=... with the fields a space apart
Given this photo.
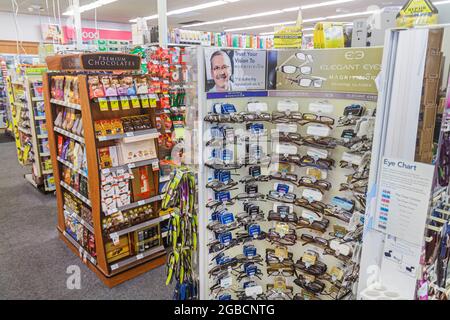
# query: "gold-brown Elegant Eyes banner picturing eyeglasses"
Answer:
x=338 y=70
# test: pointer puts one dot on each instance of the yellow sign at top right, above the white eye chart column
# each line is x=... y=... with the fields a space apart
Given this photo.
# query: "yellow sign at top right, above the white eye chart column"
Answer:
x=417 y=13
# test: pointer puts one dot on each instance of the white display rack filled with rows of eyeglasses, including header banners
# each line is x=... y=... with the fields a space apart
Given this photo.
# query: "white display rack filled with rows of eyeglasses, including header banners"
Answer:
x=283 y=173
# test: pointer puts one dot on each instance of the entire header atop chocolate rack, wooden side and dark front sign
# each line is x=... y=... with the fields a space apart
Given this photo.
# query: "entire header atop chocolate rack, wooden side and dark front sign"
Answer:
x=94 y=62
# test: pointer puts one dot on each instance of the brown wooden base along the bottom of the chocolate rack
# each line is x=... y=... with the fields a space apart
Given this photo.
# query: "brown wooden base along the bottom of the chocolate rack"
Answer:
x=152 y=262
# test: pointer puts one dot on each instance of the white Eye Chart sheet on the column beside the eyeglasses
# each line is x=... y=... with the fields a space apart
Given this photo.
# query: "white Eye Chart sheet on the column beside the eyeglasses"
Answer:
x=403 y=199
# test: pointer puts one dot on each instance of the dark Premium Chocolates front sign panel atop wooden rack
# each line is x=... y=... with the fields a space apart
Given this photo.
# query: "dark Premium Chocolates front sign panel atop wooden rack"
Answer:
x=109 y=61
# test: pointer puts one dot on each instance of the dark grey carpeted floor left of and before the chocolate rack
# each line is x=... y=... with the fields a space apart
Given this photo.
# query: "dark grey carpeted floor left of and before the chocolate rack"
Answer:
x=33 y=260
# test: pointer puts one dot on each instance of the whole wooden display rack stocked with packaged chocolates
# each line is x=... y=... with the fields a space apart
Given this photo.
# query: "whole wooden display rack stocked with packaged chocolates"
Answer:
x=103 y=145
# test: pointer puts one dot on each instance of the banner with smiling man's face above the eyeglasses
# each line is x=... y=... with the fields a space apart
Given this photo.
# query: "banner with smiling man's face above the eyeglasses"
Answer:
x=234 y=70
